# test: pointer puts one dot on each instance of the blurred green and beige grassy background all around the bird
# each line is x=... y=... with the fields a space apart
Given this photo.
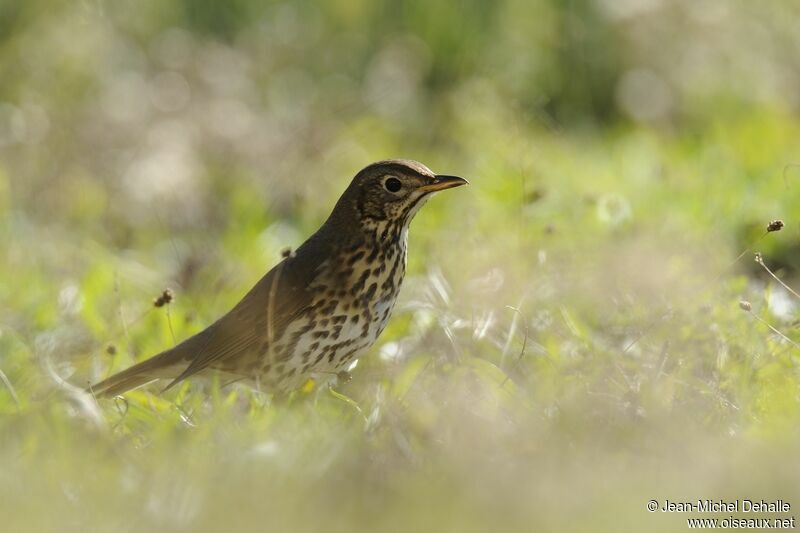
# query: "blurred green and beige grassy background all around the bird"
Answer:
x=569 y=343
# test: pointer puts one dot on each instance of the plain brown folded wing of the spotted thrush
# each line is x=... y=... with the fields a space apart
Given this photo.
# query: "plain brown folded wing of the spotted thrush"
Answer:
x=259 y=318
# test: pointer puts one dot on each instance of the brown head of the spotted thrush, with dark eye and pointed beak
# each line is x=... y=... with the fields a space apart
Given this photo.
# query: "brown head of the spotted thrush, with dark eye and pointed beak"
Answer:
x=392 y=192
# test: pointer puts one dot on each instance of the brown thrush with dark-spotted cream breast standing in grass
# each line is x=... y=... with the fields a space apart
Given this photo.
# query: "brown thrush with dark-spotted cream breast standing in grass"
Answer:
x=321 y=306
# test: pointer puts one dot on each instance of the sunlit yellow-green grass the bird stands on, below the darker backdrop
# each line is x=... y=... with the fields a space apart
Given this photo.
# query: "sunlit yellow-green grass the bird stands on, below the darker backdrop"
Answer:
x=627 y=371
